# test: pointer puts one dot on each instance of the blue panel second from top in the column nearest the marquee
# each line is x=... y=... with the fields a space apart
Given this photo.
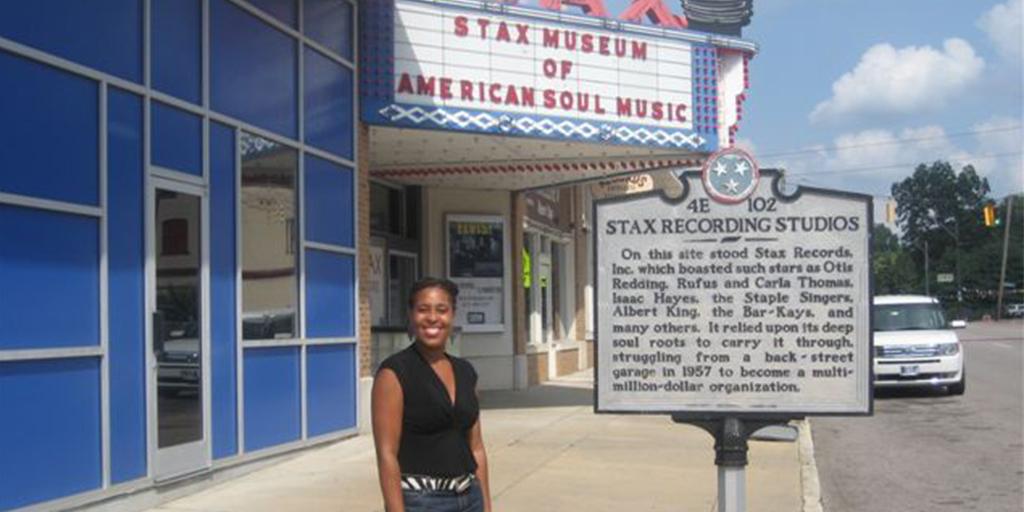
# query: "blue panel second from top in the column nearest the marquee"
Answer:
x=329 y=100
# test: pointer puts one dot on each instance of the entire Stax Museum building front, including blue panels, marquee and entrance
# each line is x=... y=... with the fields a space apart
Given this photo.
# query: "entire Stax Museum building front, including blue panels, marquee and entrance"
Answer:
x=211 y=212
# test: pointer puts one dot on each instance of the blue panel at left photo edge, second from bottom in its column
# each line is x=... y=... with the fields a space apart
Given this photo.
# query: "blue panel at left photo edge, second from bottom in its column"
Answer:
x=50 y=271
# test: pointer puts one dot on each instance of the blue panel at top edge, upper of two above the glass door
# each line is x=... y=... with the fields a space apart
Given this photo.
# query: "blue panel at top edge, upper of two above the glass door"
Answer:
x=178 y=40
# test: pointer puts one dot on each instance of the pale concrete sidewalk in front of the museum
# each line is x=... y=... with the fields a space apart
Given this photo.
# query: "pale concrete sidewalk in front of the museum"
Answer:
x=548 y=452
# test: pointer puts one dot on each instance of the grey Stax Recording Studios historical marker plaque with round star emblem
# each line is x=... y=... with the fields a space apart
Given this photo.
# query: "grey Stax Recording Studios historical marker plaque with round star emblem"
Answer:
x=734 y=300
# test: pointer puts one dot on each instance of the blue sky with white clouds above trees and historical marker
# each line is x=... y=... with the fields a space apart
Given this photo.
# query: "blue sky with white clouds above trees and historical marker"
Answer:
x=852 y=95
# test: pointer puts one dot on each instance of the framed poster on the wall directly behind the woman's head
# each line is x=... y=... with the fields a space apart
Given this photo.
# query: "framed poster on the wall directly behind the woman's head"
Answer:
x=477 y=263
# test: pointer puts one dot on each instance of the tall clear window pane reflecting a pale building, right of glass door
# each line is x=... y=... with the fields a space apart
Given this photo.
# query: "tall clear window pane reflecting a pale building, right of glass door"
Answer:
x=270 y=277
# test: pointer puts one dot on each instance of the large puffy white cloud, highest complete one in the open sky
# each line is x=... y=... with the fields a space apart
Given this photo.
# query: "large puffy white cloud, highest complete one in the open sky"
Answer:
x=903 y=80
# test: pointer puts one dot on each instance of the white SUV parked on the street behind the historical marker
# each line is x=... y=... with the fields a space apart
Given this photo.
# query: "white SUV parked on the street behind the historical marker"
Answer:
x=915 y=347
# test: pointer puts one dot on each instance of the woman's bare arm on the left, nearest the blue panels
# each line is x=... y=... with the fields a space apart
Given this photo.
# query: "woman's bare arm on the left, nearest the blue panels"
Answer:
x=387 y=412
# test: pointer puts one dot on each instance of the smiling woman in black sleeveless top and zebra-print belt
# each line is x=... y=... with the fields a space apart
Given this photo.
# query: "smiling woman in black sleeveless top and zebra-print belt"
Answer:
x=431 y=453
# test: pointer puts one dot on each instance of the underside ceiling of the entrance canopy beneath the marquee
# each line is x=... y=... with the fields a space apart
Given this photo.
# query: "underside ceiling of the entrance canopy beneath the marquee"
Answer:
x=435 y=158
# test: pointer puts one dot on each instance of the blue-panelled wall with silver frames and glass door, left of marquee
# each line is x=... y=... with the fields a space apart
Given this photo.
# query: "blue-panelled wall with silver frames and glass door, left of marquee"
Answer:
x=178 y=218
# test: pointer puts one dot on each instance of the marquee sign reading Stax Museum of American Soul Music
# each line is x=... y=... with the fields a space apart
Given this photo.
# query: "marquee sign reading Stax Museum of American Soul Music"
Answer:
x=481 y=67
